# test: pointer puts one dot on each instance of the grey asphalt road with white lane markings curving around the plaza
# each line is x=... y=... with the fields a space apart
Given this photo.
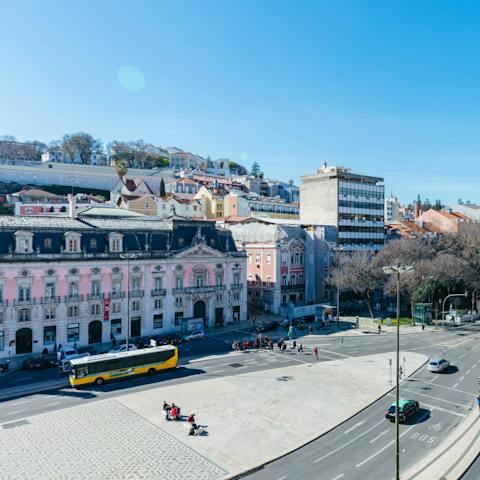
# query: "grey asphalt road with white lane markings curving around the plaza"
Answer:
x=362 y=447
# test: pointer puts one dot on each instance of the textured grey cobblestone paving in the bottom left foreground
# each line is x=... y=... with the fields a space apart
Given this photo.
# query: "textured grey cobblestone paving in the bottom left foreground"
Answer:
x=101 y=440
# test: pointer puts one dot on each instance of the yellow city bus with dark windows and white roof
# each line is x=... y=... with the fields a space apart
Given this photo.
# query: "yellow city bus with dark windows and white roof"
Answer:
x=109 y=366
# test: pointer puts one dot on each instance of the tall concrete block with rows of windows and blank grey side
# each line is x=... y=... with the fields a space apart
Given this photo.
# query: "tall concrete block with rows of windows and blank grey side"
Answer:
x=351 y=202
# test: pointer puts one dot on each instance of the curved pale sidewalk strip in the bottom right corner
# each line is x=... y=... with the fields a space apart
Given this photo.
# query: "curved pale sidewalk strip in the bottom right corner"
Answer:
x=454 y=456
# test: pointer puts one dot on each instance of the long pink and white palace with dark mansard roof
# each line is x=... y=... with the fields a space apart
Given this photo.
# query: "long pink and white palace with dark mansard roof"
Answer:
x=70 y=281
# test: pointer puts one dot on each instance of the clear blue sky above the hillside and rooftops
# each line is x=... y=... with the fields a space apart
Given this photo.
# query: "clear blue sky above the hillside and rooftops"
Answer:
x=386 y=88
